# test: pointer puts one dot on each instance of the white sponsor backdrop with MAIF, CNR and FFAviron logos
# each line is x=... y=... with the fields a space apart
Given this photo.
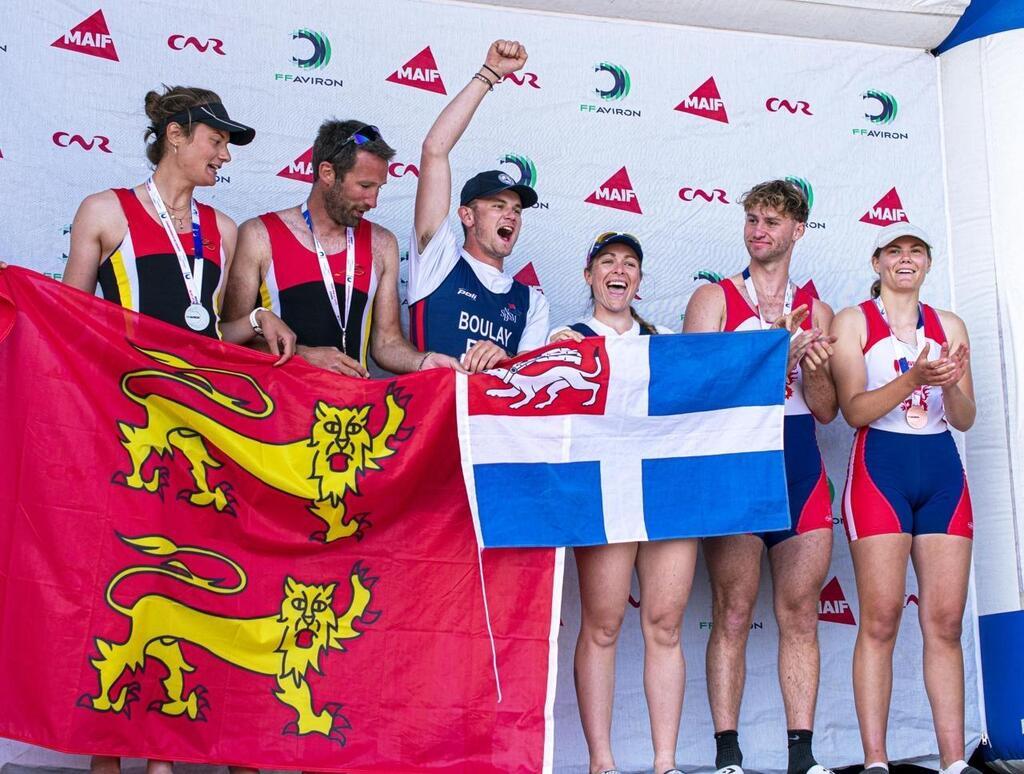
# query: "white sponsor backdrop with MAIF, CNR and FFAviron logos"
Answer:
x=650 y=130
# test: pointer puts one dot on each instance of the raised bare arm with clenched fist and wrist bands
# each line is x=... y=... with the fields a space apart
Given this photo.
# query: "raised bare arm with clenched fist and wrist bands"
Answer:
x=434 y=194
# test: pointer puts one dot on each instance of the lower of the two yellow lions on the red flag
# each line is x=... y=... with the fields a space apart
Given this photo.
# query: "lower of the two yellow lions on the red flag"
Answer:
x=284 y=647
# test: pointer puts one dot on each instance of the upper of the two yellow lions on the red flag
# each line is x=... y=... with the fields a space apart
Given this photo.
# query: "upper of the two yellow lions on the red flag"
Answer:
x=321 y=468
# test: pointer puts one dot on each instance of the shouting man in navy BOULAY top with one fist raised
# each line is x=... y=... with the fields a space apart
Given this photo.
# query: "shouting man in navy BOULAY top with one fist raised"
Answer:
x=461 y=300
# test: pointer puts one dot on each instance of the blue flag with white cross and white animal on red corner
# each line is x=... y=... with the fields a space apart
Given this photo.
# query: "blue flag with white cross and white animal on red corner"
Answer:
x=636 y=439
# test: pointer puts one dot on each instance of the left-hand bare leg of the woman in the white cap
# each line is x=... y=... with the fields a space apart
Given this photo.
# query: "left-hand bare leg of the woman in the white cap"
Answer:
x=880 y=565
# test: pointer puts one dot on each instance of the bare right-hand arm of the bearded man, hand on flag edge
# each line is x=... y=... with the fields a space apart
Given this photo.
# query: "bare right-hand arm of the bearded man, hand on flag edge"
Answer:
x=390 y=349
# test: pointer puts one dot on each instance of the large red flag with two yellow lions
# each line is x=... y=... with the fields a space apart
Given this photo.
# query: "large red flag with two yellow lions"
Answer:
x=206 y=558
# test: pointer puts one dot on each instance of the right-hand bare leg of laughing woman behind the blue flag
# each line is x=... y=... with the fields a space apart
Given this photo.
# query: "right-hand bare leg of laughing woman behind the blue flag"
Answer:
x=666 y=573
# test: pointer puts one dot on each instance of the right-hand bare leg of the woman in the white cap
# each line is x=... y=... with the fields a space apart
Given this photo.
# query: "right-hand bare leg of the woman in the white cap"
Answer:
x=944 y=564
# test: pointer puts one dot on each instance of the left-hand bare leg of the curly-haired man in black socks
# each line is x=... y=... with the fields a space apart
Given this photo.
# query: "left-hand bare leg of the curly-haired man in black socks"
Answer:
x=735 y=568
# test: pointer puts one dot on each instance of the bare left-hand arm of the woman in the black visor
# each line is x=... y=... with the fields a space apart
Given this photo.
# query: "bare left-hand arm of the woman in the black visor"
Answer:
x=95 y=234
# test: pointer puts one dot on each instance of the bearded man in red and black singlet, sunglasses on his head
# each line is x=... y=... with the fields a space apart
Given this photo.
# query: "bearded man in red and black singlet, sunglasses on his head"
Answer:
x=326 y=269
